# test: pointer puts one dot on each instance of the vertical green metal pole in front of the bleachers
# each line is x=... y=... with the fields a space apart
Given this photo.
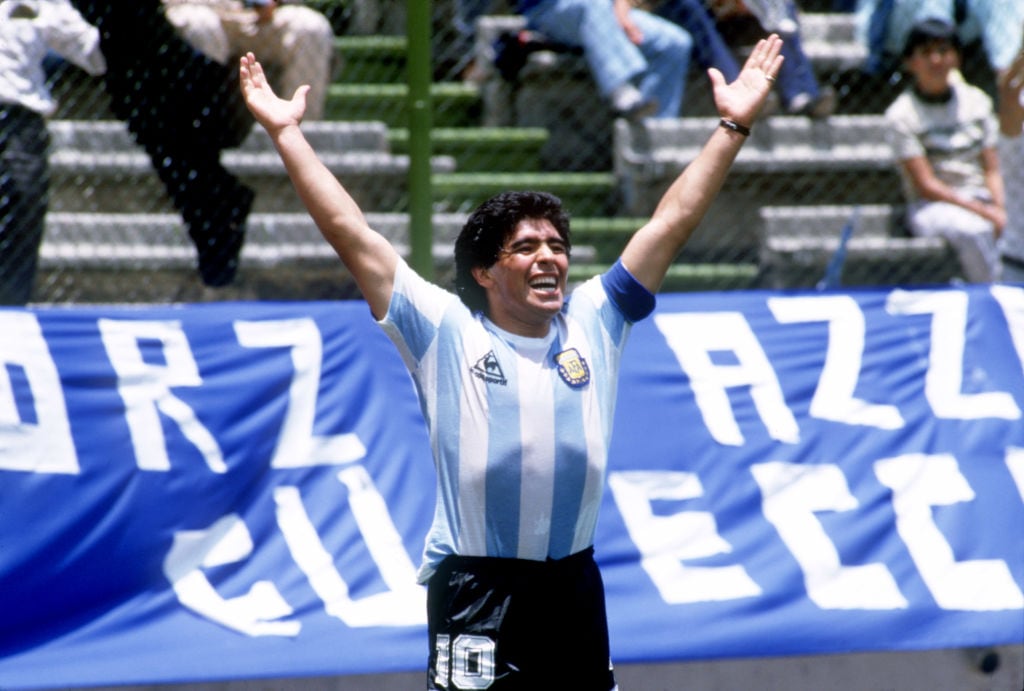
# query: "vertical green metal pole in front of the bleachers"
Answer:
x=418 y=61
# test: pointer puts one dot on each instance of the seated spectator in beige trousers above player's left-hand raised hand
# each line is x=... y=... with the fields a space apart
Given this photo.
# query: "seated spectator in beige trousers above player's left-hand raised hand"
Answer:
x=296 y=42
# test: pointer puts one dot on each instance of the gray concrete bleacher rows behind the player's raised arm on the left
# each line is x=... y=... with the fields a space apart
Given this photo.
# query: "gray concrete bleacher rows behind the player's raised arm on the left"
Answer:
x=96 y=229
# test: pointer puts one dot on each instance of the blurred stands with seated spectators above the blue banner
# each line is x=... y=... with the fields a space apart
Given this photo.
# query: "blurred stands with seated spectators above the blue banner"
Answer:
x=131 y=171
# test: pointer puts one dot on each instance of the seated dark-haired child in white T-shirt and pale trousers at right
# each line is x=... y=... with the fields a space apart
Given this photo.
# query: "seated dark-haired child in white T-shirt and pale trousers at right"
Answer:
x=944 y=134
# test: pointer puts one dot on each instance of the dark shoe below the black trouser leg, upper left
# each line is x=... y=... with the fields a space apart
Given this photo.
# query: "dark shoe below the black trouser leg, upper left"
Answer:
x=219 y=244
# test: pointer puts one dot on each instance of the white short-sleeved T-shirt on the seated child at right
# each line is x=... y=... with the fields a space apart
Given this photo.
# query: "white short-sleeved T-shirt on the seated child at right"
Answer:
x=952 y=136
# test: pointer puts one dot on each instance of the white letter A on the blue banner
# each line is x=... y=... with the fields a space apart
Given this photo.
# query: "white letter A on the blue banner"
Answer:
x=693 y=338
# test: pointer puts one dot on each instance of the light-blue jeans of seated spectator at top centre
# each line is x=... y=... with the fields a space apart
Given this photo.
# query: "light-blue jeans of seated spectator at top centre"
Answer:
x=659 y=67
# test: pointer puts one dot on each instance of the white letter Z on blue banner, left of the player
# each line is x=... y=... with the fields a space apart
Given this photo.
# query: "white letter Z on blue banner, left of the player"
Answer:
x=297 y=447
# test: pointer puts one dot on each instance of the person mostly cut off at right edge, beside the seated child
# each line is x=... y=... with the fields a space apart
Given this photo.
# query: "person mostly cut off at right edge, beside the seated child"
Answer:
x=1012 y=161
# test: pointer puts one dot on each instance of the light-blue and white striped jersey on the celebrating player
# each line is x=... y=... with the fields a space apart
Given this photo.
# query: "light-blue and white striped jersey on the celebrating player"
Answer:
x=520 y=427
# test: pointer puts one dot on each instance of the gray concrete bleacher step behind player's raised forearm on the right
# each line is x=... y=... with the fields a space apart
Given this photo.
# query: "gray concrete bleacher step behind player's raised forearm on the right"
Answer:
x=789 y=161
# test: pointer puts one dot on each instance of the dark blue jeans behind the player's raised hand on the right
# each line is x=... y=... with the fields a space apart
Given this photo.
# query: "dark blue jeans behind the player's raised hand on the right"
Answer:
x=711 y=50
